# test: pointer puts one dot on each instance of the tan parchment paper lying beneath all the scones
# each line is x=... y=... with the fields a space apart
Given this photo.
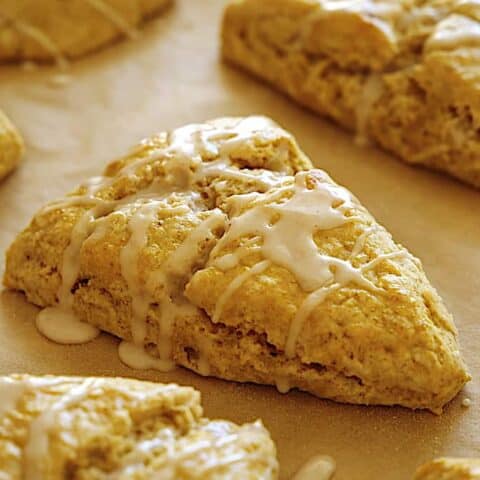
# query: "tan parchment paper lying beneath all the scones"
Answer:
x=171 y=76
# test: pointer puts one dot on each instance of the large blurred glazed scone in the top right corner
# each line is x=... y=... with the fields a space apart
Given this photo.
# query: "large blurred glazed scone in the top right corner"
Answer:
x=403 y=73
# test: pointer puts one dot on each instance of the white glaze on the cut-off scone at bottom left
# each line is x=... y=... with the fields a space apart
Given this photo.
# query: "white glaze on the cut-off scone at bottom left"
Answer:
x=209 y=445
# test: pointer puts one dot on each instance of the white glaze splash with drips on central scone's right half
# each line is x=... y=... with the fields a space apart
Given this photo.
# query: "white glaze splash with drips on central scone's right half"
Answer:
x=288 y=241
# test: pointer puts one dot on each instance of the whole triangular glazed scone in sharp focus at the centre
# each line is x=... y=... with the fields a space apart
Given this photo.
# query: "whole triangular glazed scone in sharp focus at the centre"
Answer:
x=217 y=247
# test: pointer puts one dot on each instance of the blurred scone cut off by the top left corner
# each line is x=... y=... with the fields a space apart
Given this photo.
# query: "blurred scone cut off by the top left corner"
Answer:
x=55 y=30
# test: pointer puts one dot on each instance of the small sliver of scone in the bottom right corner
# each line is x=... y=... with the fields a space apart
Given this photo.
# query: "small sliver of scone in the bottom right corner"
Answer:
x=450 y=469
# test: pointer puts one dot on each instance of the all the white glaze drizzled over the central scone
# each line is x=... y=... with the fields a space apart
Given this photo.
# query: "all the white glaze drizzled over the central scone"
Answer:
x=286 y=228
